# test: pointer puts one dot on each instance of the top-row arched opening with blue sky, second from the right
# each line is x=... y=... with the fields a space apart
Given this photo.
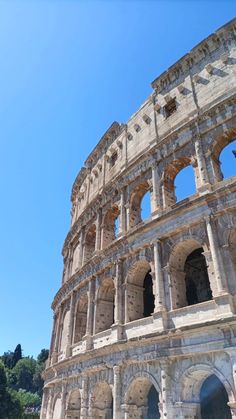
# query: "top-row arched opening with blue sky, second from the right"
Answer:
x=169 y=181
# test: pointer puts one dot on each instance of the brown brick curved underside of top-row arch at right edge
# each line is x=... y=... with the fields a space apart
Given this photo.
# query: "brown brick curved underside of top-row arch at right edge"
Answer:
x=221 y=142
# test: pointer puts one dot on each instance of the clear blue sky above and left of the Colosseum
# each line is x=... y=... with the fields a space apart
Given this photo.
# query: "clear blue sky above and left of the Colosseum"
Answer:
x=68 y=70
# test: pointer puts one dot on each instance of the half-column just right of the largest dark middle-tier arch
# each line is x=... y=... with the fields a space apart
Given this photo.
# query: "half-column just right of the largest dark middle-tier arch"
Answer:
x=216 y=257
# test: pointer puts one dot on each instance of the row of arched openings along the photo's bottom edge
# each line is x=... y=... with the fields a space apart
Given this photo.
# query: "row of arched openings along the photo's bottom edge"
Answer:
x=144 y=400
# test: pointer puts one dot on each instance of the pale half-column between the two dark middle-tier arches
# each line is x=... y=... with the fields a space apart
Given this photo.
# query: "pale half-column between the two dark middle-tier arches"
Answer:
x=159 y=283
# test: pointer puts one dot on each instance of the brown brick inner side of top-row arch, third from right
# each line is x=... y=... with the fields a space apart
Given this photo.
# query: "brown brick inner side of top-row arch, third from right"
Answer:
x=135 y=213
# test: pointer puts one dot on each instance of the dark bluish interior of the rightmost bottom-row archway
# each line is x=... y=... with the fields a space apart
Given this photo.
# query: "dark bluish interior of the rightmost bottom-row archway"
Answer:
x=214 y=399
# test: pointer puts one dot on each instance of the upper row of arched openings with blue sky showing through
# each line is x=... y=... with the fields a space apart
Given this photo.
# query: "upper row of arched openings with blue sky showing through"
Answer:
x=179 y=180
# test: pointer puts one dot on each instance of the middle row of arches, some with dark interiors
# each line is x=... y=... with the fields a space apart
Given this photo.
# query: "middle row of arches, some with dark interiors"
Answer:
x=189 y=280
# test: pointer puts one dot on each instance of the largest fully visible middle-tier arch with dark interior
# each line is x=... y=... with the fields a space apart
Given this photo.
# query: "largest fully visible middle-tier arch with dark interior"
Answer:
x=189 y=274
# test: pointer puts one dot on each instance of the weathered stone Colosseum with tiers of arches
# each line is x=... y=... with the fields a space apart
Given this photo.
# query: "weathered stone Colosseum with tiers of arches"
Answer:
x=145 y=318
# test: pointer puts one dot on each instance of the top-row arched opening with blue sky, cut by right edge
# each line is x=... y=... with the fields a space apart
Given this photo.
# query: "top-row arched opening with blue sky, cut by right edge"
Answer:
x=223 y=156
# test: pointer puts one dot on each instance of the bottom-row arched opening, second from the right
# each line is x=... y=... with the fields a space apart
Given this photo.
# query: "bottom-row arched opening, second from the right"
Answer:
x=143 y=399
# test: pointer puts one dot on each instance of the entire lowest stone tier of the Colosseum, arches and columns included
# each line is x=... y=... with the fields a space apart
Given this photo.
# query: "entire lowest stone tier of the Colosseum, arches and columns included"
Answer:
x=194 y=387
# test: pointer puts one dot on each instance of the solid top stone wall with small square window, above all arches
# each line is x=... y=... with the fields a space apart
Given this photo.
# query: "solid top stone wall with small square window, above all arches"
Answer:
x=181 y=94
